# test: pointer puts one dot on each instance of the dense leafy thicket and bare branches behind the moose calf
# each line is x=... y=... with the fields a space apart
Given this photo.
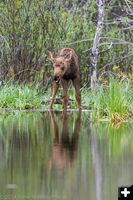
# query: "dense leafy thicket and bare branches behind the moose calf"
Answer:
x=30 y=27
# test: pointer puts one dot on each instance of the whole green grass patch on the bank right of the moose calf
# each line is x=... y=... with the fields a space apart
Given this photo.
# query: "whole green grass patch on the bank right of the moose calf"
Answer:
x=114 y=102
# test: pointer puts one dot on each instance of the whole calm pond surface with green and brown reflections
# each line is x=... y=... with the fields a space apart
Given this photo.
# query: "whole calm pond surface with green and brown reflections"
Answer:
x=63 y=156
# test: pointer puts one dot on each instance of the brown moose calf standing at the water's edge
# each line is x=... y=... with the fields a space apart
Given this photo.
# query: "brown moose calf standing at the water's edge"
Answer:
x=66 y=68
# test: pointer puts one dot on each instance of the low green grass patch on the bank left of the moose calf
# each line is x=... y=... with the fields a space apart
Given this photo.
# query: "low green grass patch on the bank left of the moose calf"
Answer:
x=20 y=97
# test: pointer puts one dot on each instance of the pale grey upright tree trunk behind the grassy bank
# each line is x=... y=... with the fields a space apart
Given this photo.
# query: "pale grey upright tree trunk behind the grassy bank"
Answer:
x=94 y=53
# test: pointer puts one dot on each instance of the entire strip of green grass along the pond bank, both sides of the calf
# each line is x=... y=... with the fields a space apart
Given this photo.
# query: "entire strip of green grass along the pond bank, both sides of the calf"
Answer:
x=113 y=102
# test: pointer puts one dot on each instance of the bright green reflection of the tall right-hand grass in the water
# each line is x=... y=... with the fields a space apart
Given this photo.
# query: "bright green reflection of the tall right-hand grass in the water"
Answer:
x=116 y=139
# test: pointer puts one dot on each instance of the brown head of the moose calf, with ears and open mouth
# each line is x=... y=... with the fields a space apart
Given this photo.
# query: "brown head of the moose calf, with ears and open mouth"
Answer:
x=61 y=65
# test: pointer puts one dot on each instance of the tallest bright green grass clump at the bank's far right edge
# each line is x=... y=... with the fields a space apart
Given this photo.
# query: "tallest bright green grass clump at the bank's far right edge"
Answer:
x=119 y=99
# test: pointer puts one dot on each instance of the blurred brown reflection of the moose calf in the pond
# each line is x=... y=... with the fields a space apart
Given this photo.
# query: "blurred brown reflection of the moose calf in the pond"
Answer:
x=64 y=152
